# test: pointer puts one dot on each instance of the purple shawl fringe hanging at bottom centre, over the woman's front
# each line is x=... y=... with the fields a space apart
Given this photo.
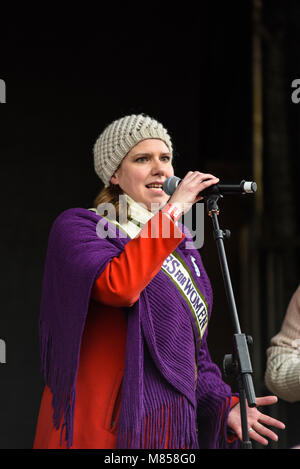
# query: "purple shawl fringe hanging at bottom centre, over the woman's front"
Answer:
x=172 y=426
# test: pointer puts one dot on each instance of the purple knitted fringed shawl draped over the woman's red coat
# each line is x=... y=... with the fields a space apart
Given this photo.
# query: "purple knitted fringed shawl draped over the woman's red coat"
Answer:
x=158 y=390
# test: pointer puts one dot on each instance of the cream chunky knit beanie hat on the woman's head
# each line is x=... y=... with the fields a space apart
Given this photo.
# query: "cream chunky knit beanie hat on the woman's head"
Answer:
x=120 y=137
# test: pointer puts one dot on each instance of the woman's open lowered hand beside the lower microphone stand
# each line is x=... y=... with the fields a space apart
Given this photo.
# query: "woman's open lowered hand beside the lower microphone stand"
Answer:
x=256 y=421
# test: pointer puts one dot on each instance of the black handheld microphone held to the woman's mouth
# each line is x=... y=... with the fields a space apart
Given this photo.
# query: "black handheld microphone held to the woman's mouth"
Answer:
x=245 y=187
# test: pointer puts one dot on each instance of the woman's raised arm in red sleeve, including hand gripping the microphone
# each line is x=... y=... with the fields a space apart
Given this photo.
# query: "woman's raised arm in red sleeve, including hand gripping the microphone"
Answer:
x=123 y=280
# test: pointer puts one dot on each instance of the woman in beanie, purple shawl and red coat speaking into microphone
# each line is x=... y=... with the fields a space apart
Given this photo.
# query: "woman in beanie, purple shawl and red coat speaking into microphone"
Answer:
x=124 y=312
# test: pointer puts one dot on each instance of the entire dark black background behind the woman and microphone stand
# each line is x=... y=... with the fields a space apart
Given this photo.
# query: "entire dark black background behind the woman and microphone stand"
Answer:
x=68 y=75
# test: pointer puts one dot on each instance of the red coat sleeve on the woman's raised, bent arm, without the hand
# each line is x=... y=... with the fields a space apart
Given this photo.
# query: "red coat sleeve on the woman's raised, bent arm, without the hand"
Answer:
x=123 y=279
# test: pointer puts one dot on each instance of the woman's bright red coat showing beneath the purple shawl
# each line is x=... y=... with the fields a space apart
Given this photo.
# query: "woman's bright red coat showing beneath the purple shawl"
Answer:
x=102 y=354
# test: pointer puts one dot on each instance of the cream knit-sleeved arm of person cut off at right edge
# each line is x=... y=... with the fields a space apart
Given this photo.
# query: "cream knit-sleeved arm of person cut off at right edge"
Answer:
x=282 y=375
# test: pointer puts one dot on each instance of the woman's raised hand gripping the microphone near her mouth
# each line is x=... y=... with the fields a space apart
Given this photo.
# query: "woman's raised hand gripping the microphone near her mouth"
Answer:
x=187 y=191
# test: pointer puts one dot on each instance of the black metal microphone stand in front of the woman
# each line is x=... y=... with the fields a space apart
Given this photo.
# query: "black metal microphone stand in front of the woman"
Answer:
x=238 y=363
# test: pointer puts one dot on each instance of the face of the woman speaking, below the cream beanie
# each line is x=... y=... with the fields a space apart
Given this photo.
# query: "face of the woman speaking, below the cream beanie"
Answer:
x=148 y=163
